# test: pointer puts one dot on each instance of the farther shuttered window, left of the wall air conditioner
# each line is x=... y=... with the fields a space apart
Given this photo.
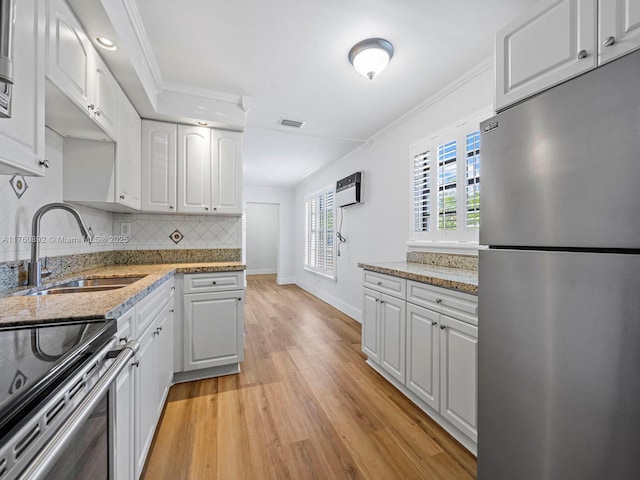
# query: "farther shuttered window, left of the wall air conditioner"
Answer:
x=318 y=238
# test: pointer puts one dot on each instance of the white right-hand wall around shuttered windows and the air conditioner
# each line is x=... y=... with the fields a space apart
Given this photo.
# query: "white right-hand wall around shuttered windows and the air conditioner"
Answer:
x=378 y=230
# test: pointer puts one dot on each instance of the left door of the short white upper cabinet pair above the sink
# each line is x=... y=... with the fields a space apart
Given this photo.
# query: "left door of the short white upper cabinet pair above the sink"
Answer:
x=70 y=55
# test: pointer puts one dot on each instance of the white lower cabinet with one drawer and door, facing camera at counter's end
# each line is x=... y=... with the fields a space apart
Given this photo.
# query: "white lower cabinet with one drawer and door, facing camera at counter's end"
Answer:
x=213 y=320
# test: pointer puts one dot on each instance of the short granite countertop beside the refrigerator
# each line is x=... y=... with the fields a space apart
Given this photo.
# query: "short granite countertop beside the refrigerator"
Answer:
x=459 y=279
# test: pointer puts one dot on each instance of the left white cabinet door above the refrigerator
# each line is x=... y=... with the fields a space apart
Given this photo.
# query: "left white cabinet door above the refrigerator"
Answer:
x=552 y=42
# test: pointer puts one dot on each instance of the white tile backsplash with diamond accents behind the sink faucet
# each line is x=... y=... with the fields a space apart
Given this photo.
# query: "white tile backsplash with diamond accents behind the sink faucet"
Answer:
x=146 y=231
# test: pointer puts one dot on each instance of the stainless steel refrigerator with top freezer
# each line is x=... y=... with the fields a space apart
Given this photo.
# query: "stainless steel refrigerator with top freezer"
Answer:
x=559 y=284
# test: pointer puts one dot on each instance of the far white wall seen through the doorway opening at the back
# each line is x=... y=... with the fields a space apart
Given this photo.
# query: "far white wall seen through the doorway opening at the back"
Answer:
x=262 y=238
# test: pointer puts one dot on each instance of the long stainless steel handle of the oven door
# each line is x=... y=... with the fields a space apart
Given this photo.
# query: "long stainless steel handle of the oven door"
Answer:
x=43 y=462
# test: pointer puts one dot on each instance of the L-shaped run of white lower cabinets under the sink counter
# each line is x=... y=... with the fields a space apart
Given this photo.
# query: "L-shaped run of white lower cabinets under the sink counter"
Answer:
x=214 y=333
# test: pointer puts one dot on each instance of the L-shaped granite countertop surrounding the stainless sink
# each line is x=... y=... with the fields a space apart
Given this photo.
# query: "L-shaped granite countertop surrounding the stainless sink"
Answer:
x=17 y=309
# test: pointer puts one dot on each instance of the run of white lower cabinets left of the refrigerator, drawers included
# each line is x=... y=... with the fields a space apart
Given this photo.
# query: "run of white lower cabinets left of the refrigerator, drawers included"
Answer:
x=424 y=350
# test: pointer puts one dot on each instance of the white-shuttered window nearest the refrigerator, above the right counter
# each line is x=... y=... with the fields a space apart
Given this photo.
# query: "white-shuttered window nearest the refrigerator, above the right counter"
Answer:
x=446 y=184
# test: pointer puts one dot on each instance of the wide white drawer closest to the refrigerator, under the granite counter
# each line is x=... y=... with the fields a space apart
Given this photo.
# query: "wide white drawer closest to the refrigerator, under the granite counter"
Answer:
x=456 y=304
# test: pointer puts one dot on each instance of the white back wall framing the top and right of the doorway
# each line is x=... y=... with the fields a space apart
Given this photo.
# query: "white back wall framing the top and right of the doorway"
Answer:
x=284 y=198
